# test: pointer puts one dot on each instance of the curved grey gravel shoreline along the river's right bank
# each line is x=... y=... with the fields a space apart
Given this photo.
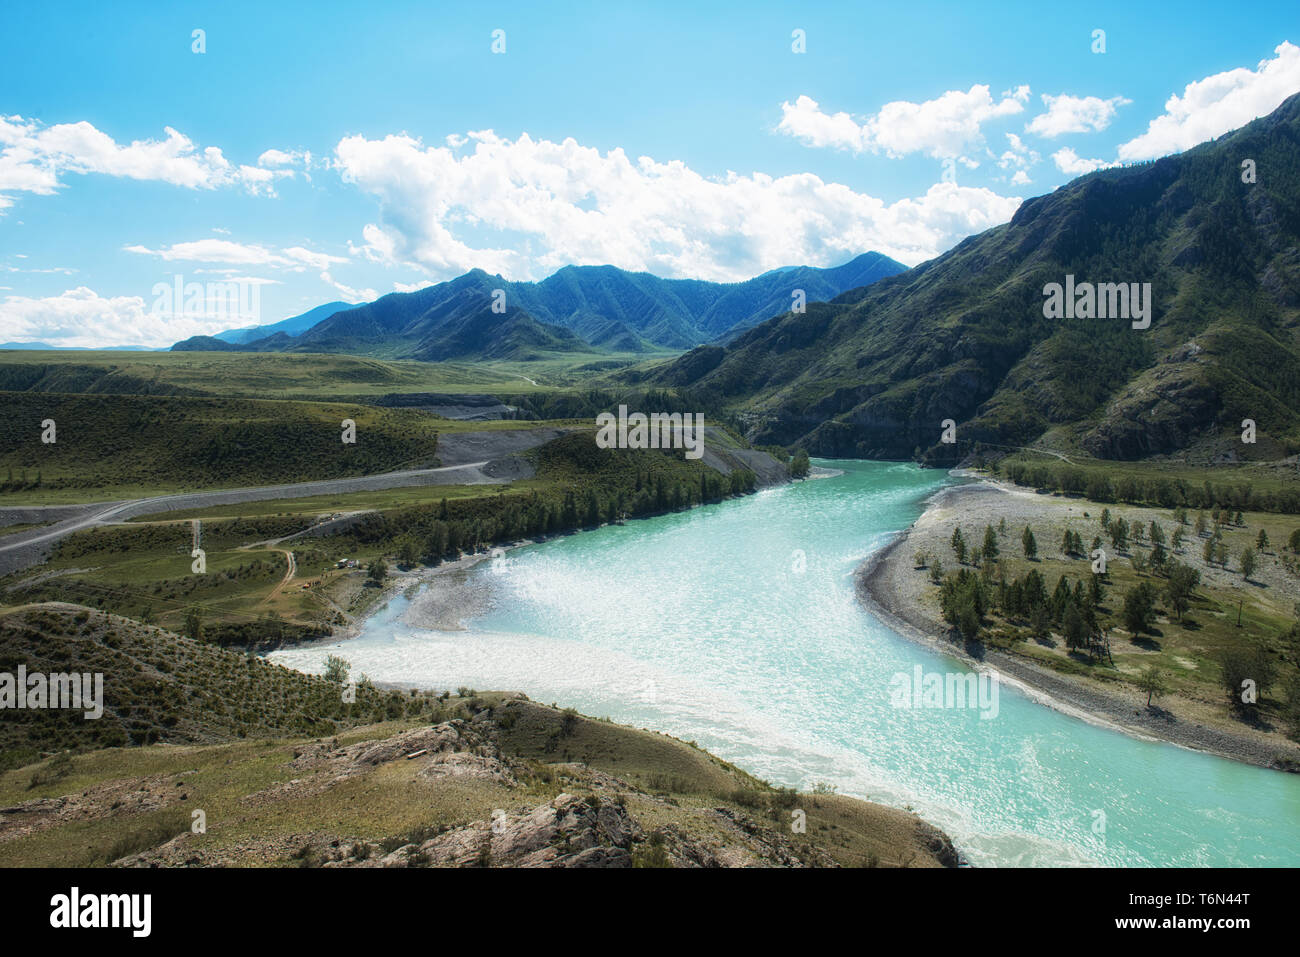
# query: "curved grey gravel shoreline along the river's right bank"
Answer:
x=886 y=584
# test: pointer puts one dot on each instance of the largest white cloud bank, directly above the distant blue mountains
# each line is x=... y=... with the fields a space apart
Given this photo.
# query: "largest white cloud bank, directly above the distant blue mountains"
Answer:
x=527 y=207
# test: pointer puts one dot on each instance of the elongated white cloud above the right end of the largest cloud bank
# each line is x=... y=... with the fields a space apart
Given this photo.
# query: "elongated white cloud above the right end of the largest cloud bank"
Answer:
x=942 y=128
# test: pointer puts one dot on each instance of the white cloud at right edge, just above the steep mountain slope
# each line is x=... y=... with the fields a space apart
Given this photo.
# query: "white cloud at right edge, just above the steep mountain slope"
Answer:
x=1216 y=105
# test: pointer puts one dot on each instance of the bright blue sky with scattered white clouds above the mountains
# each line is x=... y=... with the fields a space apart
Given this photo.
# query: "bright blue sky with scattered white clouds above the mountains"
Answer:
x=309 y=154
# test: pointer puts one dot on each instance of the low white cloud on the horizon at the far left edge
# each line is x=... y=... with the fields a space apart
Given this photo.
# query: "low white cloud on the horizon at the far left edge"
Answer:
x=83 y=318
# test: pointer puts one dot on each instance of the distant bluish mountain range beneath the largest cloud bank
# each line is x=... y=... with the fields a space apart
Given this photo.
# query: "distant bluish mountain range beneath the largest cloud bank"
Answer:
x=600 y=306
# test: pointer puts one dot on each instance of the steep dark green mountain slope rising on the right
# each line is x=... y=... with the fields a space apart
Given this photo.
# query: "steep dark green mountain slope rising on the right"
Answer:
x=964 y=337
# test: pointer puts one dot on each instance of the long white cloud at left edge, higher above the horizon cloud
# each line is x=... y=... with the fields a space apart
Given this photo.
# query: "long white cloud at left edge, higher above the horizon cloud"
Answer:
x=36 y=158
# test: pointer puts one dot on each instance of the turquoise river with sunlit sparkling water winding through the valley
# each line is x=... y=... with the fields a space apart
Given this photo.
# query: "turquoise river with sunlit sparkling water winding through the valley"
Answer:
x=738 y=627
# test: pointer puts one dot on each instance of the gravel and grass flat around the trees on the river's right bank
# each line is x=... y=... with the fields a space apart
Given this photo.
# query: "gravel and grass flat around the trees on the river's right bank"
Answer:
x=1193 y=716
